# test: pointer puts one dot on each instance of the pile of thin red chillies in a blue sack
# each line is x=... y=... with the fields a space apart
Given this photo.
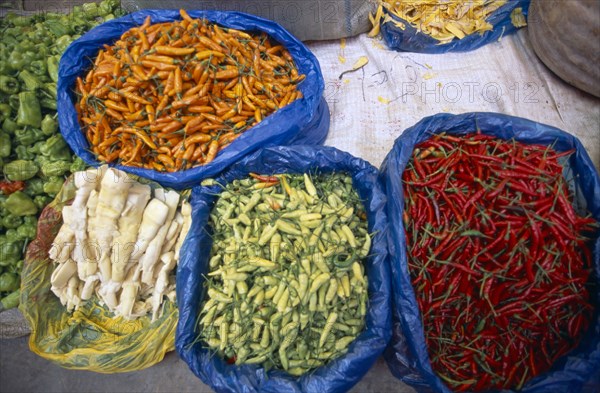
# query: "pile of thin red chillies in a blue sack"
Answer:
x=497 y=257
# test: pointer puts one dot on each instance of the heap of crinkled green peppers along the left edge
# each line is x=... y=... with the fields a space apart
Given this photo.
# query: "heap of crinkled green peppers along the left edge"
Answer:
x=34 y=158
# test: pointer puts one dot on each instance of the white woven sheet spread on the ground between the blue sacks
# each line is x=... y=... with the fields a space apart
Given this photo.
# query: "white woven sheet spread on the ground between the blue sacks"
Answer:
x=371 y=107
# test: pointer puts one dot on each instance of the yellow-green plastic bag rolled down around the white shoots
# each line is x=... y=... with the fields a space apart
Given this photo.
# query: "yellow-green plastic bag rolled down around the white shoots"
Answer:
x=90 y=338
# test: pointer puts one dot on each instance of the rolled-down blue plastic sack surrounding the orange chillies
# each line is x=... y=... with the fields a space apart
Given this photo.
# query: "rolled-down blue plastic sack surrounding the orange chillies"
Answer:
x=305 y=121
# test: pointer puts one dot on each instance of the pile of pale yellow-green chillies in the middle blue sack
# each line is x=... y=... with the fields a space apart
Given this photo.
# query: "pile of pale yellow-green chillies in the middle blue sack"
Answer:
x=286 y=288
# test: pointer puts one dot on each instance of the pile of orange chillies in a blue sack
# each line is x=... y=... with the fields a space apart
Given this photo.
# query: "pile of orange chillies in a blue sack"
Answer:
x=170 y=96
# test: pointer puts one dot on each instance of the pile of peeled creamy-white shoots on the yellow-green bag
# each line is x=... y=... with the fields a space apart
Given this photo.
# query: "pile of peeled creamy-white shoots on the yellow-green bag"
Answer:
x=120 y=239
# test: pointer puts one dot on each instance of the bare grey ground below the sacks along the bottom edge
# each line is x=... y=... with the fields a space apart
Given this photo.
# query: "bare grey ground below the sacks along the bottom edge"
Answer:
x=23 y=371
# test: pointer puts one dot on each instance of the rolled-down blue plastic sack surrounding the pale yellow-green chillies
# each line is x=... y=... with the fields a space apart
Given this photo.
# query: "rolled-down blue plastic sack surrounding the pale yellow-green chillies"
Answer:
x=341 y=373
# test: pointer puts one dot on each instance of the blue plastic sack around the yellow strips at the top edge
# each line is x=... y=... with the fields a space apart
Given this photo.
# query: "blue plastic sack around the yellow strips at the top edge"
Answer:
x=411 y=40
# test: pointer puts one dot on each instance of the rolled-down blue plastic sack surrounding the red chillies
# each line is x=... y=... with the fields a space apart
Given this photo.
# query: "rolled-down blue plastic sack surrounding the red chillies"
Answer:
x=407 y=355
